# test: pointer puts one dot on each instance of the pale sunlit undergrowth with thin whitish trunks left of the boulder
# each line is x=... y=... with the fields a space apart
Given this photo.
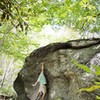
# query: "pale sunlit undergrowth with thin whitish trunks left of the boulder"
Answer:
x=8 y=72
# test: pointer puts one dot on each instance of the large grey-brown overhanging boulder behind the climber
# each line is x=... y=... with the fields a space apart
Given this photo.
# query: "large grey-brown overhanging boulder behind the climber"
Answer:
x=63 y=77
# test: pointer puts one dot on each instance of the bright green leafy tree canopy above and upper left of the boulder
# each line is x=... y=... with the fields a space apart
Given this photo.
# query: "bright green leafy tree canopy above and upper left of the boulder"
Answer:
x=25 y=16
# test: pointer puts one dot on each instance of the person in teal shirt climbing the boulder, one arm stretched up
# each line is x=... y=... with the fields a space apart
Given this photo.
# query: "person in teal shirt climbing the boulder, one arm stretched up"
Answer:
x=42 y=81
